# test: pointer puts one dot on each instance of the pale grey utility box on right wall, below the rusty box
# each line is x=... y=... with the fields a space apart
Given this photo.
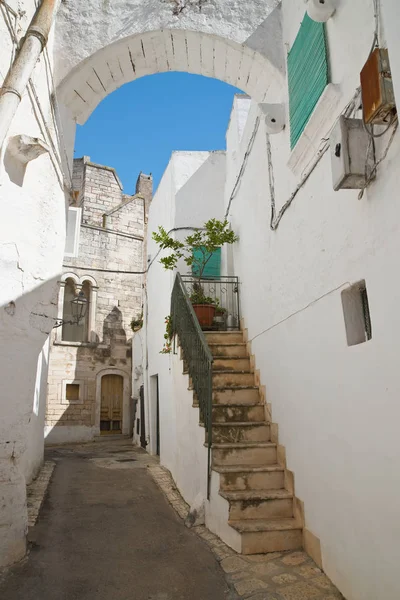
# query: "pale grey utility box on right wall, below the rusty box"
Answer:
x=352 y=155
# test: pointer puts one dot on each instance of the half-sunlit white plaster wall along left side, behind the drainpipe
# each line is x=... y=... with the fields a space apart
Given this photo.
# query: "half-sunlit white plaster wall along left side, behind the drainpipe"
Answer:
x=32 y=232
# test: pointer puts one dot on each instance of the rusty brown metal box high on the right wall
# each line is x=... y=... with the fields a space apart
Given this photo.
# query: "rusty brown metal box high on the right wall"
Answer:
x=377 y=88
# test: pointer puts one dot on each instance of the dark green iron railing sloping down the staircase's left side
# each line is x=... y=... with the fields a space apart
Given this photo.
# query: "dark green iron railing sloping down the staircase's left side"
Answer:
x=196 y=355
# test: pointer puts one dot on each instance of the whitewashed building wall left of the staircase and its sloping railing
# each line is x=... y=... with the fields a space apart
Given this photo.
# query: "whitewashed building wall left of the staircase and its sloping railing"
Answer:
x=190 y=192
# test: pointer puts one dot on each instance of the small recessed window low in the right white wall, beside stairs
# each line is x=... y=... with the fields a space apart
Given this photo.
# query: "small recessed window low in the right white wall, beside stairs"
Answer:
x=356 y=313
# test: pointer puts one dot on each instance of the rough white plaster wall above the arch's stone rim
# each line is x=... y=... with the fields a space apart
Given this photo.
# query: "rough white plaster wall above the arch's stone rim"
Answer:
x=82 y=33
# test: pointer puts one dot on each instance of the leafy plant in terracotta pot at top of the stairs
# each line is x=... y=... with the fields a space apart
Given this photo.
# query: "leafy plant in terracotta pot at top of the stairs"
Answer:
x=196 y=250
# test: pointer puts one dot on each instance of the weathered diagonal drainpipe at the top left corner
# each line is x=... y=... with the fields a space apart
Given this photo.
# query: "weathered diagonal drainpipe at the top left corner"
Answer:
x=21 y=70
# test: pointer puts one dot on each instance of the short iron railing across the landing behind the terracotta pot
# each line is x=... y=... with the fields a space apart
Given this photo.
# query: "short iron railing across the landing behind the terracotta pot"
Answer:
x=223 y=292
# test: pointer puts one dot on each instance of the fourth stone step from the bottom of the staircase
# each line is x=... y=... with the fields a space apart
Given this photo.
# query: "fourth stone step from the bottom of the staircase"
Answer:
x=244 y=453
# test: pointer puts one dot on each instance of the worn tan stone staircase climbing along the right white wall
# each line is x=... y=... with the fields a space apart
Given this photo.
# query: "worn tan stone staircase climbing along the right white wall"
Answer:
x=261 y=509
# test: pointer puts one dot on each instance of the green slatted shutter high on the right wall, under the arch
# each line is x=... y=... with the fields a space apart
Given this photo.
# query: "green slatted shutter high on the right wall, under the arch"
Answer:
x=307 y=74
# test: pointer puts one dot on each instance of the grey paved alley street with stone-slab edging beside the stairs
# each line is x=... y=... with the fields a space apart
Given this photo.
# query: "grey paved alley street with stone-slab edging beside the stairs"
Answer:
x=111 y=526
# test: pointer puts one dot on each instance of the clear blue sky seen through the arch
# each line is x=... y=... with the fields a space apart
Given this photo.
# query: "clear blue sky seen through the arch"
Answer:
x=138 y=126
